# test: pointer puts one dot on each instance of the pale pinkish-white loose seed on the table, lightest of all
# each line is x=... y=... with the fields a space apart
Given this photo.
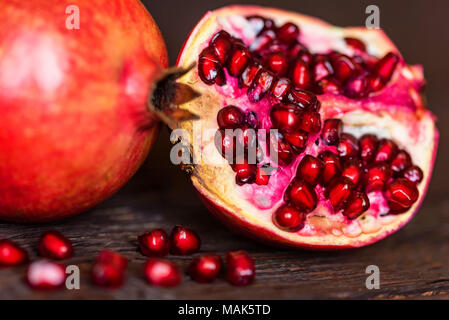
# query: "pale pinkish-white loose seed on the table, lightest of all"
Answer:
x=45 y=275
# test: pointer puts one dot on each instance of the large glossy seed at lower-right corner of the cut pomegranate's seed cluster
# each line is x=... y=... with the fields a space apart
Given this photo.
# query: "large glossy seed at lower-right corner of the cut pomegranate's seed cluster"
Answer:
x=401 y=194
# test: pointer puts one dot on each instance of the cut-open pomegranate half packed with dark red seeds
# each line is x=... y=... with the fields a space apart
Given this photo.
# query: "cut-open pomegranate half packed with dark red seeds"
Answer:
x=310 y=135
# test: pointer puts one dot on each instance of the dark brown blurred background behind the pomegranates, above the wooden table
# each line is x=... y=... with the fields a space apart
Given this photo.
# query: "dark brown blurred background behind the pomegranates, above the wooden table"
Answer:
x=419 y=28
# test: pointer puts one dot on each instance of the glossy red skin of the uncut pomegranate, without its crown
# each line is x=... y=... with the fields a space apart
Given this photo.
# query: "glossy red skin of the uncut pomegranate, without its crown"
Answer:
x=75 y=126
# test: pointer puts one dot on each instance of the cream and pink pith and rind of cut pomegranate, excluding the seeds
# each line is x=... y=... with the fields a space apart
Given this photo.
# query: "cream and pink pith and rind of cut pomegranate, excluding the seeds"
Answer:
x=396 y=112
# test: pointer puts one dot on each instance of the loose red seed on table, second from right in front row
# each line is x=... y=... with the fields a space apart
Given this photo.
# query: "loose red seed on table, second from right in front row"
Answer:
x=206 y=268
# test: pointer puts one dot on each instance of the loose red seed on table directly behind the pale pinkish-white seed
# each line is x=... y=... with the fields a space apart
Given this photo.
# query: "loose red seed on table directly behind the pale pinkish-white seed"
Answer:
x=54 y=245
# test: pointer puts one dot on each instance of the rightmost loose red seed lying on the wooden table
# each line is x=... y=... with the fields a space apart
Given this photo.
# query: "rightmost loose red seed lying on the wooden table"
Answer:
x=240 y=268
